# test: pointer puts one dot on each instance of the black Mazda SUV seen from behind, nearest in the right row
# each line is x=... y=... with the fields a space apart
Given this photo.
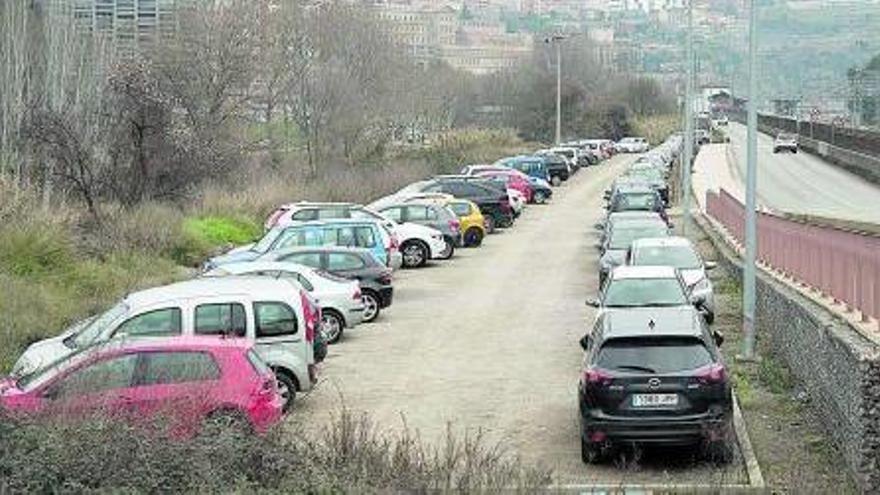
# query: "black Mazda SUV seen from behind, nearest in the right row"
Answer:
x=654 y=375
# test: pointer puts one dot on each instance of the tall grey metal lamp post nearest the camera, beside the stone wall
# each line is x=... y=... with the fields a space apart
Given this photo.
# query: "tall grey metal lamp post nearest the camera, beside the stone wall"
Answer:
x=751 y=184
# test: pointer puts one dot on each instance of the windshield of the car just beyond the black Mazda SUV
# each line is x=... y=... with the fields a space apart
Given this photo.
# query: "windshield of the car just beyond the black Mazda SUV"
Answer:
x=641 y=292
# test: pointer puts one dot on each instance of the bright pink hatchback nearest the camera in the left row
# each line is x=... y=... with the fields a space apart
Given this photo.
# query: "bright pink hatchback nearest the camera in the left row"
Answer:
x=186 y=380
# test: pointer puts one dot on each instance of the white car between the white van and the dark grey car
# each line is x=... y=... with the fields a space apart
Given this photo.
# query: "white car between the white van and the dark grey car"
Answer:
x=340 y=299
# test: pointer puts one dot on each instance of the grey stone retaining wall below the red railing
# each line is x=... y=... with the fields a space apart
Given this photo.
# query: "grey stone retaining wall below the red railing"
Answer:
x=838 y=367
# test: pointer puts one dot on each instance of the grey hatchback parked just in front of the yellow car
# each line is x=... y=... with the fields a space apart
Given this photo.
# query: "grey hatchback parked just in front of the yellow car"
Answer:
x=430 y=214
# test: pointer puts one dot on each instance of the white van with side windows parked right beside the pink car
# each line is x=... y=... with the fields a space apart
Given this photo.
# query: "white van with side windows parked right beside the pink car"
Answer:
x=268 y=312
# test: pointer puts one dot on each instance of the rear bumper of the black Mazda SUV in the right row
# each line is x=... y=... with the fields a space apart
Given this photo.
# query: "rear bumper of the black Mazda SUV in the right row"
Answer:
x=675 y=430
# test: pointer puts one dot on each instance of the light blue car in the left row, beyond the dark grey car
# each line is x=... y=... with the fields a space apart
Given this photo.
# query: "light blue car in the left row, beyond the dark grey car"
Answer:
x=367 y=234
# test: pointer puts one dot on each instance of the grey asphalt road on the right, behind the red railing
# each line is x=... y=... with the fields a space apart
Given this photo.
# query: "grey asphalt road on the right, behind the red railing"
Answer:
x=803 y=183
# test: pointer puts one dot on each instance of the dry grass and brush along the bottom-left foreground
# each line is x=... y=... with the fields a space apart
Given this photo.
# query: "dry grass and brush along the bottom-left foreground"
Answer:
x=347 y=455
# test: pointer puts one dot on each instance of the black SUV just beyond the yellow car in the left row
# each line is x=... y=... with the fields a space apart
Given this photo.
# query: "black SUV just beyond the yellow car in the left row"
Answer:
x=494 y=203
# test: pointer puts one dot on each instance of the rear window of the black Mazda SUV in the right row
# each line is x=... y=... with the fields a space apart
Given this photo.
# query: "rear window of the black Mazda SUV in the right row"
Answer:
x=653 y=355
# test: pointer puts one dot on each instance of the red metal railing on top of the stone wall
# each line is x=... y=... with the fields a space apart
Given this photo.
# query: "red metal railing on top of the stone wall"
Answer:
x=841 y=264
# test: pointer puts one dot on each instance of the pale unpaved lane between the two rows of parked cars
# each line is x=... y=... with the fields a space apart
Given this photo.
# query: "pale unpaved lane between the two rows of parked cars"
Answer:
x=489 y=340
